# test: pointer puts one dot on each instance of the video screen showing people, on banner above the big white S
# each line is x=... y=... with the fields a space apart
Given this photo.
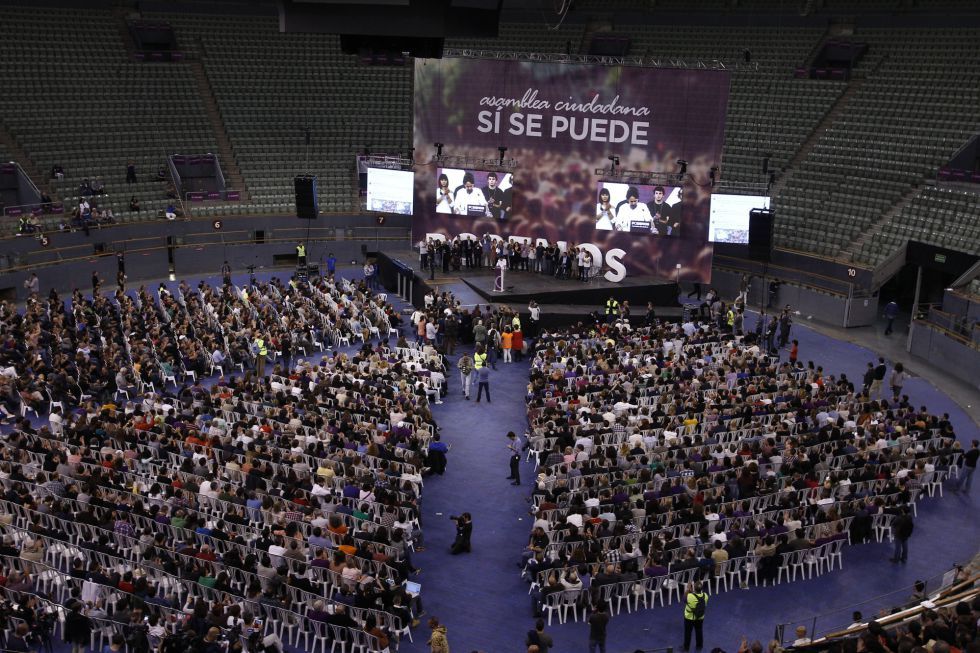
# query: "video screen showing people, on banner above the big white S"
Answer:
x=639 y=209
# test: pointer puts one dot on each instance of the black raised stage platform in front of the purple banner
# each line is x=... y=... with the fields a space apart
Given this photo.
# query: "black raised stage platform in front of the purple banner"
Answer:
x=521 y=287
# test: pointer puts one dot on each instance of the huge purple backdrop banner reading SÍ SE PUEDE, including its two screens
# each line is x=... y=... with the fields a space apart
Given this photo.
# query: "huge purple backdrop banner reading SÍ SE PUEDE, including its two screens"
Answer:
x=559 y=123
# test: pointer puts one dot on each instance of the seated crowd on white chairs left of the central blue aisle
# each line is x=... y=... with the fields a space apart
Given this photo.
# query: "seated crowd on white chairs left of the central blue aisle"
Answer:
x=269 y=508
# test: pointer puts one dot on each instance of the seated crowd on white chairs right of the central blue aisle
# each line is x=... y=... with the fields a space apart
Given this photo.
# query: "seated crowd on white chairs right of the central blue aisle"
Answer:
x=680 y=452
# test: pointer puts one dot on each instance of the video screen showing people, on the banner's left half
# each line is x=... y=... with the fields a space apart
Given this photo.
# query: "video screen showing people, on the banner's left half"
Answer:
x=474 y=193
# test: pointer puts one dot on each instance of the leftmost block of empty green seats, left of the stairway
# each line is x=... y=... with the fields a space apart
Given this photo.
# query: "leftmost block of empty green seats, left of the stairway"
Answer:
x=72 y=97
